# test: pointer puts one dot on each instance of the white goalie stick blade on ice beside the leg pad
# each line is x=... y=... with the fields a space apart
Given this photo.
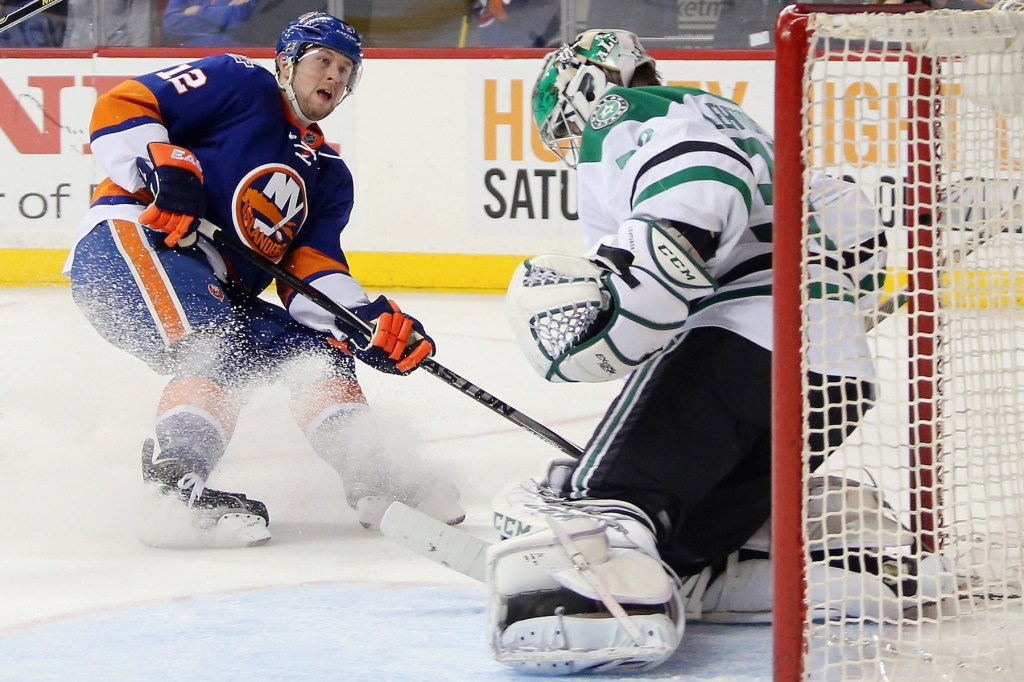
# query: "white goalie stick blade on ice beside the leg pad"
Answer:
x=436 y=540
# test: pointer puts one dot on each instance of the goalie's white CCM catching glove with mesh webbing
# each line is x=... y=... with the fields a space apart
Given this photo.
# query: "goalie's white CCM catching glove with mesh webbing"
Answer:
x=601 y=317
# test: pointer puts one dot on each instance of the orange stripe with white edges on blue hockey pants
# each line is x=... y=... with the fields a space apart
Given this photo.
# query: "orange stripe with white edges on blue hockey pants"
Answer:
x=160 y=296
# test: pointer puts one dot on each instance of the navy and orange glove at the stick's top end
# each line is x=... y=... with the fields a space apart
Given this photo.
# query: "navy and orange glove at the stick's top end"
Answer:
x=175 y=178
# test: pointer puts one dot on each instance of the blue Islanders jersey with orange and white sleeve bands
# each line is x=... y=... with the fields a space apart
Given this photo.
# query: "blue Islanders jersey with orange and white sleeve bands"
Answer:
x=277 y=186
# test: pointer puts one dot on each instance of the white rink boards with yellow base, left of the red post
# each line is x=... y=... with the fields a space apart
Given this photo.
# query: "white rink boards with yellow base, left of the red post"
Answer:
x=453 y=186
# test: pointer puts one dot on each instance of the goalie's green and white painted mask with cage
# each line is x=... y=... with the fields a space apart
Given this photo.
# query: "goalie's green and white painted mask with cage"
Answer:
x=574 y=79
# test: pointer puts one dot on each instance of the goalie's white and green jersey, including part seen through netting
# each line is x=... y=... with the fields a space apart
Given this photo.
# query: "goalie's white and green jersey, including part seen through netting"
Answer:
x=697 y=161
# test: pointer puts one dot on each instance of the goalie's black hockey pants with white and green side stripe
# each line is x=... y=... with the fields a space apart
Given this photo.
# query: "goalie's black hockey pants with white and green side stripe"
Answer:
x=689 y=441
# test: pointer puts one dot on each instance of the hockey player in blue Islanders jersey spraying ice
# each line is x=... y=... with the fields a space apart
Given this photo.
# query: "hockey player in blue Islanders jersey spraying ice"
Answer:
x=225 y=140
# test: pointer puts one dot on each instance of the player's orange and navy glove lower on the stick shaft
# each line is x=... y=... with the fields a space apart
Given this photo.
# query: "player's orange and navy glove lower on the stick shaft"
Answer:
x=398 y=345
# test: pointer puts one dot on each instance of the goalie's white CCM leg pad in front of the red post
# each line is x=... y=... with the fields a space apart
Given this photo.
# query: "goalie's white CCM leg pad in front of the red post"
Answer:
x=563 y=601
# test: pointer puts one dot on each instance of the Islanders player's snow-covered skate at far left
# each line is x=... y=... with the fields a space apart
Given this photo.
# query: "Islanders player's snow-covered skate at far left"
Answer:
x=216 y=519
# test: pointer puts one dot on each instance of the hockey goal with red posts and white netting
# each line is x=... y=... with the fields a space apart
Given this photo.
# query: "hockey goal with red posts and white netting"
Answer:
x=923 y=111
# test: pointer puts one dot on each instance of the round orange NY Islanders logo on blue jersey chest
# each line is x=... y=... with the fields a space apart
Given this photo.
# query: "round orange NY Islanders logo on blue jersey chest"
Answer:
x=270 y=206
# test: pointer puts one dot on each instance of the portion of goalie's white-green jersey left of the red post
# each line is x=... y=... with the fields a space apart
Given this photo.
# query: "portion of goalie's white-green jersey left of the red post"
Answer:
x=699 y=162
